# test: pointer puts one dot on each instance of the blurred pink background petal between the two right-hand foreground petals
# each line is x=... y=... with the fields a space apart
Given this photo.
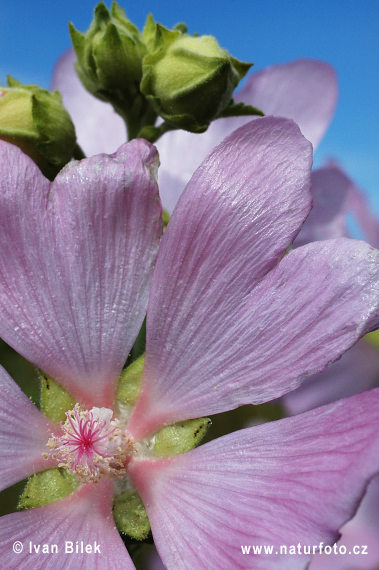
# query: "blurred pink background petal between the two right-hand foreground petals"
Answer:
x=356 y=371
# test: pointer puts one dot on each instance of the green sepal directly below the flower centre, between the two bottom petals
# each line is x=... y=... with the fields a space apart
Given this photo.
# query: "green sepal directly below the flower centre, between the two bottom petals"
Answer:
x=130 y=515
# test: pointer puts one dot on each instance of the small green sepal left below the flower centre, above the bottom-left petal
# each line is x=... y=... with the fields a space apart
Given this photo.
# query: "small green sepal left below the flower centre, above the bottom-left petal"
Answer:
x=47 y=487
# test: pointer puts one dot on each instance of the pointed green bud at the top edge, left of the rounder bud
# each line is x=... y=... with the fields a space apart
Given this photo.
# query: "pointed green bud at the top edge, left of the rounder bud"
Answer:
x=110 y=55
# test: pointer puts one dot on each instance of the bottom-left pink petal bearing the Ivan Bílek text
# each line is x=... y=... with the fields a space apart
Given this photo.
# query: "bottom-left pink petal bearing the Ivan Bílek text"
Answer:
x=83 y=518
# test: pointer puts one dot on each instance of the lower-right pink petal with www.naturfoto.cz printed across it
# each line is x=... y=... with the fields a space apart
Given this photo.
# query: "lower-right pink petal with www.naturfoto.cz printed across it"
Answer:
x=297 y=480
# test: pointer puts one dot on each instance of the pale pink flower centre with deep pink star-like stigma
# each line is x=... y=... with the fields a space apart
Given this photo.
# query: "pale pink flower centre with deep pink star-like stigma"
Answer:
x=92 y=444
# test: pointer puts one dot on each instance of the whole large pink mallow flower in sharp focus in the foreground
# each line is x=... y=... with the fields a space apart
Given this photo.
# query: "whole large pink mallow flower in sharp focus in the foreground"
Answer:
x=231 y=319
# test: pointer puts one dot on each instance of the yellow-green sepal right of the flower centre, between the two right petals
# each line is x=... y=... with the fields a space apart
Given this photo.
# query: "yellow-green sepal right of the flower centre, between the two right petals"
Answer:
x=180 y=437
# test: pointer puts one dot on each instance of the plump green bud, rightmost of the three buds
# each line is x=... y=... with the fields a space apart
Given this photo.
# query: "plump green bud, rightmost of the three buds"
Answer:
x=189 y=80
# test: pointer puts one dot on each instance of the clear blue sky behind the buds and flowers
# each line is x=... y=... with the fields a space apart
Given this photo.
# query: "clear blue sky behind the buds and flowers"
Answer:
x=342 y=32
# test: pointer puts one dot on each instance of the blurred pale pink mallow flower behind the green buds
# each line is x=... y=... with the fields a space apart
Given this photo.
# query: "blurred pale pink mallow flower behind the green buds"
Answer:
x=304 y=90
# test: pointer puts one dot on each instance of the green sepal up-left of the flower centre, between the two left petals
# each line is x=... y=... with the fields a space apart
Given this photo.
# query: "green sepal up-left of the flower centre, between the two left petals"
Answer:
x=55 y=400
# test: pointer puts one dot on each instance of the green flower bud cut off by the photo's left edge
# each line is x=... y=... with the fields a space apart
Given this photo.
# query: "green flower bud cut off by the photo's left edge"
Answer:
x=36 y=121
